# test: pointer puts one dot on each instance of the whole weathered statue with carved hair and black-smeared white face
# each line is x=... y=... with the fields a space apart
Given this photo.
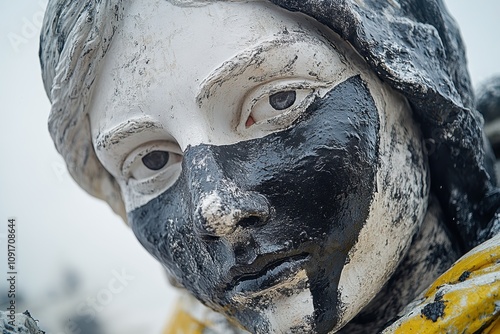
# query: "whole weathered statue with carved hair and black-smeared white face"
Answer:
x=297 y=166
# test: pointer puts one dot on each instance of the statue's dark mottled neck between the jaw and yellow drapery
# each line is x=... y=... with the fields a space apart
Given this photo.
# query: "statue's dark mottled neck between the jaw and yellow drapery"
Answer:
x=431 y=253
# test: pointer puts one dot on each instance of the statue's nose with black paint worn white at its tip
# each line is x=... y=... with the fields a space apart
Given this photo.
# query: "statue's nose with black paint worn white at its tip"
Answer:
x=220 y=205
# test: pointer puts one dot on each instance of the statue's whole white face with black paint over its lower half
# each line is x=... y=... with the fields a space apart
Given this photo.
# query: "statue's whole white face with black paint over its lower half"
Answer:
x=261 y=162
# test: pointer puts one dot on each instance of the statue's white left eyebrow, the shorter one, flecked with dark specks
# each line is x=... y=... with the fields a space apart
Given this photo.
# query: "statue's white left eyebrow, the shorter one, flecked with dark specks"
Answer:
x=124 y=130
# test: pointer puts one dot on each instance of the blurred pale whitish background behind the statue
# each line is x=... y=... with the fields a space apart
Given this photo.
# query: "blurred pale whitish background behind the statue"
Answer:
x=70 y=246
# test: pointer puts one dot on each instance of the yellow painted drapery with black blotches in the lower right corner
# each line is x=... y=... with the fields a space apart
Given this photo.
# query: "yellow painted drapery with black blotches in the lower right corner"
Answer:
x=465 y=299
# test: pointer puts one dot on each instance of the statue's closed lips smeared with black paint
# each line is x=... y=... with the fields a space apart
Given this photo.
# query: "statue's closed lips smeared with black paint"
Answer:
x=270 y=275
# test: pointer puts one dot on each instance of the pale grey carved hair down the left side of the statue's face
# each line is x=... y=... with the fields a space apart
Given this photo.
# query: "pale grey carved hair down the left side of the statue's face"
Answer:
x=74 y=39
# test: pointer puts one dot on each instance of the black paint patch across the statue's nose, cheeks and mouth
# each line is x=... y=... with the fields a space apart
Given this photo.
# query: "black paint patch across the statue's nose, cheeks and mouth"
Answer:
x=295 y=199
